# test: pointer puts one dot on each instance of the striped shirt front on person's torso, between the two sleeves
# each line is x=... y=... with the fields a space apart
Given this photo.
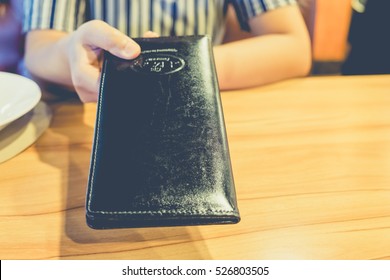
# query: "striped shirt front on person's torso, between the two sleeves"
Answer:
x=165 y=17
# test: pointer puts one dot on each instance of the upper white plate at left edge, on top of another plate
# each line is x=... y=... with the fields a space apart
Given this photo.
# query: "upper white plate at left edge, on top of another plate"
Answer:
x=18 y=96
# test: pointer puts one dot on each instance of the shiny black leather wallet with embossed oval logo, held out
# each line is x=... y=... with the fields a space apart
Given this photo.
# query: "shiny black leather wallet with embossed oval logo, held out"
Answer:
x=160 y=154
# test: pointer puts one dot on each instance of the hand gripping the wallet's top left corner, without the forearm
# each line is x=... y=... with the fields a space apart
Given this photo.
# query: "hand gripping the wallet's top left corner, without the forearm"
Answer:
x=85 y=48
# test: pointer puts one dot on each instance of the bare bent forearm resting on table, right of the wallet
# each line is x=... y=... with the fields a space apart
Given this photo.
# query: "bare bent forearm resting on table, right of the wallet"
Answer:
x=277 y=48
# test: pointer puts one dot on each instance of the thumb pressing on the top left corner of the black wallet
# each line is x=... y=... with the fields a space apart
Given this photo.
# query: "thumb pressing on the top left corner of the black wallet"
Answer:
x=98 y=34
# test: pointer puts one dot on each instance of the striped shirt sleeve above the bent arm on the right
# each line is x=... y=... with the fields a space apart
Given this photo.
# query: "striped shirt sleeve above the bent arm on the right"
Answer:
x=247 y=9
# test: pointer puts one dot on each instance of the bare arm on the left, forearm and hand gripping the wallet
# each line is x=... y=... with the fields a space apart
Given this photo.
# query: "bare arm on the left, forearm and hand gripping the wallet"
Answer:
x=72 y=59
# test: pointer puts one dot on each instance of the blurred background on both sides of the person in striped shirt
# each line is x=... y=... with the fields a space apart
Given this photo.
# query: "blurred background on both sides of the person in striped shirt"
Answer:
x=348 y=36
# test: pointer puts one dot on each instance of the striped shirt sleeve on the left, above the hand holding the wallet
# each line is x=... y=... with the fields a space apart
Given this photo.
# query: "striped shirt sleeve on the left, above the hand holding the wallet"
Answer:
x=64 y=15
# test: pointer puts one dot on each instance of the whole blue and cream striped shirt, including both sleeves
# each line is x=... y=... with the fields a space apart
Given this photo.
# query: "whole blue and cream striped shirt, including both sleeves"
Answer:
x=135 y=17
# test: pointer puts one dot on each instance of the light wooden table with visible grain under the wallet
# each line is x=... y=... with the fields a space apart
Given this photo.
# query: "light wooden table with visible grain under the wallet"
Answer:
x=311 y=161
